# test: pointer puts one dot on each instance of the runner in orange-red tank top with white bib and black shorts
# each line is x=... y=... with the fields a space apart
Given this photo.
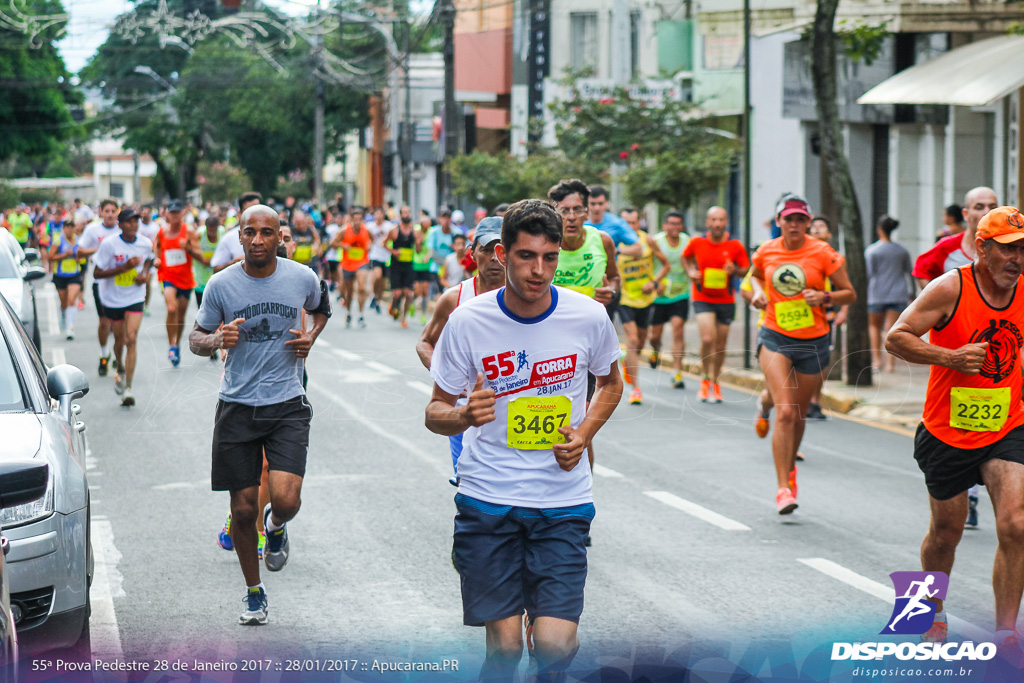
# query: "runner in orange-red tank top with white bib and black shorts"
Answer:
x=177 y=246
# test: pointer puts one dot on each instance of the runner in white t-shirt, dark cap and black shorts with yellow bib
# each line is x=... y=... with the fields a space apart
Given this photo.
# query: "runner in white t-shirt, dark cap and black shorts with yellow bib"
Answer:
x=122 y=269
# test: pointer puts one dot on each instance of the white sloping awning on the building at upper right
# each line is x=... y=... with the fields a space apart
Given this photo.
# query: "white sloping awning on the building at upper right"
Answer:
x=972 y=75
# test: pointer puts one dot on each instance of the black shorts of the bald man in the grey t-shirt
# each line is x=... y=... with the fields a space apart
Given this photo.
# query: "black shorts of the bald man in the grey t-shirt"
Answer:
x=243 y=434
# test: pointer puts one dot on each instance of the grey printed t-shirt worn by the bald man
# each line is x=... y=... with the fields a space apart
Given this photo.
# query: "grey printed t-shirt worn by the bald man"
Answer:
x=261 y=370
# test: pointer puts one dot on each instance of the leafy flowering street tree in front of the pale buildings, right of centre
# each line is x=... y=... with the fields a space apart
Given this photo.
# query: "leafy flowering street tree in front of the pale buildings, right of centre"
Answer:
x=672 y=156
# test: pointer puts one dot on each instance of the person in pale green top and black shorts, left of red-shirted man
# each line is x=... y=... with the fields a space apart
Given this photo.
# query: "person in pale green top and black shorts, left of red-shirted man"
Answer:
x=673 y=303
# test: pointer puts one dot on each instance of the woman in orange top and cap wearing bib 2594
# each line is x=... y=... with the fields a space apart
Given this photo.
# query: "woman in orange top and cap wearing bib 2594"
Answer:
x=789 y=281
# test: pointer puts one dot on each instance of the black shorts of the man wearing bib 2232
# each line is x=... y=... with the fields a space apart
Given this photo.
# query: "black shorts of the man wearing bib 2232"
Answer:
x=950 y=472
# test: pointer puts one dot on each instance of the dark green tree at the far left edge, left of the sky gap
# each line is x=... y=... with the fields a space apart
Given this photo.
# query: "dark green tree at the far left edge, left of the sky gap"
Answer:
x=37 y=100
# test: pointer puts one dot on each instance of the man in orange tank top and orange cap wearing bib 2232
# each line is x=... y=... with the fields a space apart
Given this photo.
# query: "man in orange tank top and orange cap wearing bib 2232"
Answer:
x=973 y=428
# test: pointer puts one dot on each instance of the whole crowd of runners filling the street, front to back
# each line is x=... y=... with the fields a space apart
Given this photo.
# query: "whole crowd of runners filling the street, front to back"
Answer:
x=518 y=314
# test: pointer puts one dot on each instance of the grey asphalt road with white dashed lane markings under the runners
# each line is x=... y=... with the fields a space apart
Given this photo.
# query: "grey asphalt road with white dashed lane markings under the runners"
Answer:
x=691 y=565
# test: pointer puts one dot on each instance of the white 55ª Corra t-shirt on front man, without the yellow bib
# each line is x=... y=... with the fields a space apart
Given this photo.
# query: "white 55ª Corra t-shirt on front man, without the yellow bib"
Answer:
x=548 y=356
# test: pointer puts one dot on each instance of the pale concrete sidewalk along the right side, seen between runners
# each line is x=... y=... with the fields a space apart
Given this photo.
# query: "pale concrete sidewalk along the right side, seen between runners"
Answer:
x=897 y=398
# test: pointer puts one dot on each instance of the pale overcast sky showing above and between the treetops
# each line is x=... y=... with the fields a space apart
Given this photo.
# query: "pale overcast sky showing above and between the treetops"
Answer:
x=92 y=21
